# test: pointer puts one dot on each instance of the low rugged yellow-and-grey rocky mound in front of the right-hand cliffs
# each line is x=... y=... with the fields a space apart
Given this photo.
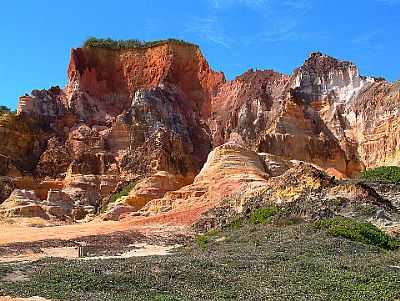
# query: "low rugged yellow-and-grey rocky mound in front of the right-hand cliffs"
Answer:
x=307 y=194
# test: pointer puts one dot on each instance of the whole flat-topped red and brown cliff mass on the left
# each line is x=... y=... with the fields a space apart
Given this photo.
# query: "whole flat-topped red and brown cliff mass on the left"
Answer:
x=123 y=114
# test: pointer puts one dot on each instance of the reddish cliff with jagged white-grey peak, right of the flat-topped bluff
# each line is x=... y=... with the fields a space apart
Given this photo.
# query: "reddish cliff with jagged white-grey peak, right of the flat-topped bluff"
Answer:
x=294 y=117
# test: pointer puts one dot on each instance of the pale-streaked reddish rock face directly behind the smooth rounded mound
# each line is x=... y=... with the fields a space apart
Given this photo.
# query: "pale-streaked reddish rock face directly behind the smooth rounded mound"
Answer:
x=247 y=106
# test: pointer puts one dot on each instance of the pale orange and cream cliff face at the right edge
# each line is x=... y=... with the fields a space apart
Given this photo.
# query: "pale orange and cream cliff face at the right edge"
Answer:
x=373 y=122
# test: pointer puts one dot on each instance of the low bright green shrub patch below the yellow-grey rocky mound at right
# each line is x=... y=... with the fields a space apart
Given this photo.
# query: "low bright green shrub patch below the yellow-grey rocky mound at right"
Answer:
x=357 y=231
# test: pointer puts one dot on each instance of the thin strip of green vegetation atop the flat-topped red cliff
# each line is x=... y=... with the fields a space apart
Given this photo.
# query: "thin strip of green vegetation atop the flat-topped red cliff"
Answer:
x=128 y=44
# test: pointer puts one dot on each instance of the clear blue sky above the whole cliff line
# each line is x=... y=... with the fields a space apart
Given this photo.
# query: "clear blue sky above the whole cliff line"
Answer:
x=234 y=35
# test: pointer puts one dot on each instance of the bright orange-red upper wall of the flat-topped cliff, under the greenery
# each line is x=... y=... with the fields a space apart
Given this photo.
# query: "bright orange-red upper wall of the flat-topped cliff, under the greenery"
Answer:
x=113 y=76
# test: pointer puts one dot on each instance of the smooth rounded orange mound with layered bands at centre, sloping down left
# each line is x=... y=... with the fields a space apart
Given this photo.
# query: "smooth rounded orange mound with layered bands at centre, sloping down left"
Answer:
x=230 y=169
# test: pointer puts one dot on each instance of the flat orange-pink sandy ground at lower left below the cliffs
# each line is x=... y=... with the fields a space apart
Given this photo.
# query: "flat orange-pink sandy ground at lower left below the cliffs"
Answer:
x=132 y=236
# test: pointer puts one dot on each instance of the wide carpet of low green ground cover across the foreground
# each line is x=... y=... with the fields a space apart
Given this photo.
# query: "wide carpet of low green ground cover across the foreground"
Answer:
x=254 y=262
